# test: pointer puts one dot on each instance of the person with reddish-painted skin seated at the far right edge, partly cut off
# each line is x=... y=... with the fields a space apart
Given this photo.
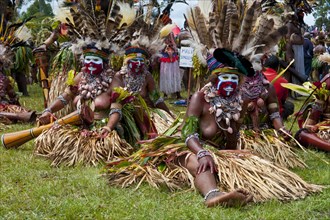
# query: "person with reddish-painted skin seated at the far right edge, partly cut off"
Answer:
x=316 y=127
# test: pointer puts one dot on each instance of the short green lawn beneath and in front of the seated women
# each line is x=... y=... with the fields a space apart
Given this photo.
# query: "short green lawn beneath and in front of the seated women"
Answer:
x=31 y=189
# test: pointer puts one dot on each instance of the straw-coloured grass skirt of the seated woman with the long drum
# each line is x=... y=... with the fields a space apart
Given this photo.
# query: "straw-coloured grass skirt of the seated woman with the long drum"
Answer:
x=68 y=145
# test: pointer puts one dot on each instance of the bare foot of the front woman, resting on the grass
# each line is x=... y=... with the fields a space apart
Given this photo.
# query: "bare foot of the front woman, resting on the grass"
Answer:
x=239 y=197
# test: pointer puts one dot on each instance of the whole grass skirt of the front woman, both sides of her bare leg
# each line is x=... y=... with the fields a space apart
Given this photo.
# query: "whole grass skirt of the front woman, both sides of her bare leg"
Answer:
x=155 y=164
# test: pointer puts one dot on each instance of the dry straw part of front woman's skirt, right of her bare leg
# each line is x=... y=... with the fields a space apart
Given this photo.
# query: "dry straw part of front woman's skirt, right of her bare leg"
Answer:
x=264 y=179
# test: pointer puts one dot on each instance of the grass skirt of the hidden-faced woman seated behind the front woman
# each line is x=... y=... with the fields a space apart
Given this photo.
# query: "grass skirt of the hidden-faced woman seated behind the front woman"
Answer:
x=270 y=146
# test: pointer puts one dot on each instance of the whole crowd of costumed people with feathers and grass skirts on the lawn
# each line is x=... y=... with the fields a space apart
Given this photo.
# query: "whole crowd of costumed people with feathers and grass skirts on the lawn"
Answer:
x=122 y=109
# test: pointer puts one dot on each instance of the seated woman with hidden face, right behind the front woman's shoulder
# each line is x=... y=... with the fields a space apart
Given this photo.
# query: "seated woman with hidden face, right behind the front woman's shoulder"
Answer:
x=263 y=123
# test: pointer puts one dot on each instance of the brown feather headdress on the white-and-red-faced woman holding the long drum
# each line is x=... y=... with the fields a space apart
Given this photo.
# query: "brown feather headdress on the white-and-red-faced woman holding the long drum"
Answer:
x=94 y=31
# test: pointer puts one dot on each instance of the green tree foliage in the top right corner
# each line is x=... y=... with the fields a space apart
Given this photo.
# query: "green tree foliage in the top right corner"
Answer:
x=322 y=15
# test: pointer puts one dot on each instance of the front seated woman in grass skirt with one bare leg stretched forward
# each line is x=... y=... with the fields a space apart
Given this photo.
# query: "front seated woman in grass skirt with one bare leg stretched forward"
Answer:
x=204 y=155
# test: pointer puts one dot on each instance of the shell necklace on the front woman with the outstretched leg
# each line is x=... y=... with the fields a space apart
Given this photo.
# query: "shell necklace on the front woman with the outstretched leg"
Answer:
x=224 y=108
